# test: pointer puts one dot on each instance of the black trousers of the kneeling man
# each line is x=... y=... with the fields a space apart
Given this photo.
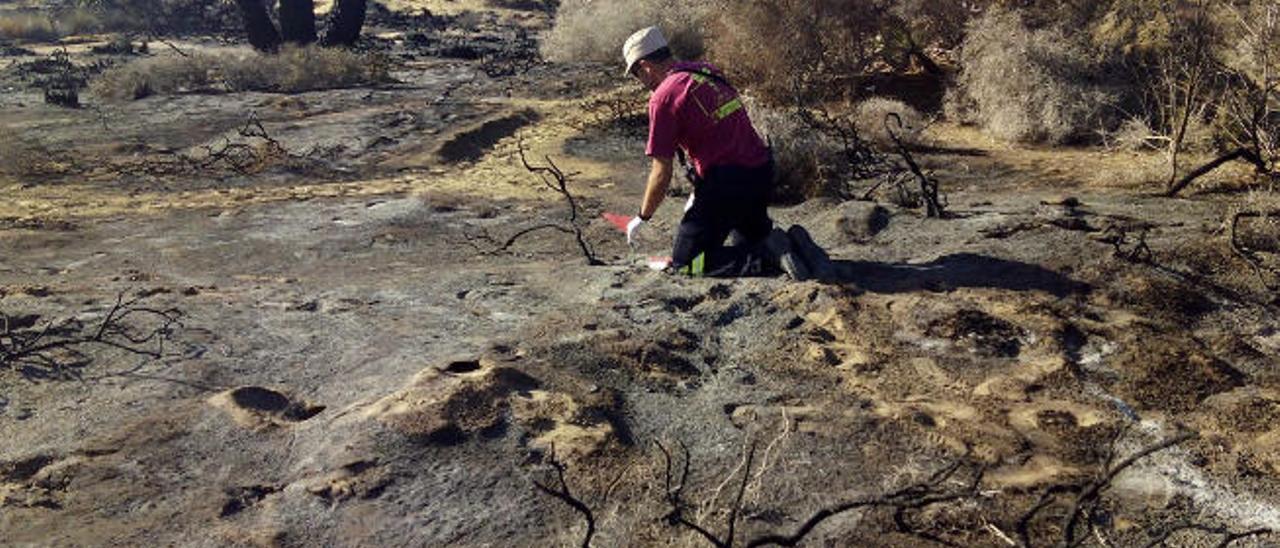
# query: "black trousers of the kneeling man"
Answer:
x=729 y=199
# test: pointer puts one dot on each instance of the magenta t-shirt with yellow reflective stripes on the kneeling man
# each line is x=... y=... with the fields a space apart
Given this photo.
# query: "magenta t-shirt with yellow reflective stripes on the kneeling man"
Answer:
x=703 y=117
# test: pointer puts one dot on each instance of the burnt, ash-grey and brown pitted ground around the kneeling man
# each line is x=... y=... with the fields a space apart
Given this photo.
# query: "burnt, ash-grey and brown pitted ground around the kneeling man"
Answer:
x=359 y=366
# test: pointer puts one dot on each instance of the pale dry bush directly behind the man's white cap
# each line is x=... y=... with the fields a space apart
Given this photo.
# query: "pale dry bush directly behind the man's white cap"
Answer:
x=595 y=30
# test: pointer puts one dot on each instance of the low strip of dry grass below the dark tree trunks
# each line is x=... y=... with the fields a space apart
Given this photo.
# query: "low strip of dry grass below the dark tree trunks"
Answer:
x=294 y=70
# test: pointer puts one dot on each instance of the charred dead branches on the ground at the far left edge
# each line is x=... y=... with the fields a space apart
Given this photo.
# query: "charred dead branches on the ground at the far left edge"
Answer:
x=58 y=349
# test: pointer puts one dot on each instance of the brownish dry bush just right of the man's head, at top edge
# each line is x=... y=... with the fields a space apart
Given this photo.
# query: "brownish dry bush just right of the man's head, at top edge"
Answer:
x=793 y=52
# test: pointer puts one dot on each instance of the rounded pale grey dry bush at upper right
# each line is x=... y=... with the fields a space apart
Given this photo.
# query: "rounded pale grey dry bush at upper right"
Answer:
x=1030 y=85
